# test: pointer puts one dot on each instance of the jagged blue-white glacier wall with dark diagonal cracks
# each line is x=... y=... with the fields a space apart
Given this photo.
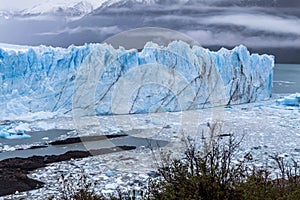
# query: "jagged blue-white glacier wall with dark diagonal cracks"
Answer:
x=98 y=79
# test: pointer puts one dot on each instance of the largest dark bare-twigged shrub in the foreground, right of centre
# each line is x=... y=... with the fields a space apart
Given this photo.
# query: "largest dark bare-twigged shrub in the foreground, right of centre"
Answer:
x=200 y=175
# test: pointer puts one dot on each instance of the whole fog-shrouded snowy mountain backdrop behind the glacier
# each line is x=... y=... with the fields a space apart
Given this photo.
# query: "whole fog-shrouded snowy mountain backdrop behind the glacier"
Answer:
x=262 y=25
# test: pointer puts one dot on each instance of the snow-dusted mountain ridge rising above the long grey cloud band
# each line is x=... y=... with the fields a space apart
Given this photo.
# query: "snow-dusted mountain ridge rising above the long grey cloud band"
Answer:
x=73 y=8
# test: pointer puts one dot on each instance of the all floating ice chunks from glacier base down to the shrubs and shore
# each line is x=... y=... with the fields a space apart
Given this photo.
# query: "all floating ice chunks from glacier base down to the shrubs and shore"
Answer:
x=266 y=128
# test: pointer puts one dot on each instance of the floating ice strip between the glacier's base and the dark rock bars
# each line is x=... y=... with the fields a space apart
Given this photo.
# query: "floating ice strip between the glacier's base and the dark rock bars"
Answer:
x=261 y=123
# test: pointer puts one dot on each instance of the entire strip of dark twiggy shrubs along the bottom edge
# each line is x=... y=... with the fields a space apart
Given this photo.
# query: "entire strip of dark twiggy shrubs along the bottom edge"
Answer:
x=209 y=174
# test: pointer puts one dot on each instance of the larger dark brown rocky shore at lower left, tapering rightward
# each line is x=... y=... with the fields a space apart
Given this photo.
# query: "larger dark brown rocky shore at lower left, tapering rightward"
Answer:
x=14 y=171
